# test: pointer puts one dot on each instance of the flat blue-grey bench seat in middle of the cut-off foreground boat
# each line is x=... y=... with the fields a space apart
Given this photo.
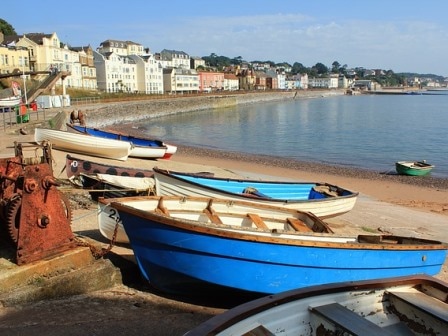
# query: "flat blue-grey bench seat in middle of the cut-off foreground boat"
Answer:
x=348 y=321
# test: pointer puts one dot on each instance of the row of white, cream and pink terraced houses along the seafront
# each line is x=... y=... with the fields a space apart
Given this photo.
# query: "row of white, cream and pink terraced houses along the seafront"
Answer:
x=125 y=66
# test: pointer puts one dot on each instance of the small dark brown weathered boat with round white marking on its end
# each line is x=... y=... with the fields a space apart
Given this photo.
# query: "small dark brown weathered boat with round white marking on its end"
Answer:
x=75 y=166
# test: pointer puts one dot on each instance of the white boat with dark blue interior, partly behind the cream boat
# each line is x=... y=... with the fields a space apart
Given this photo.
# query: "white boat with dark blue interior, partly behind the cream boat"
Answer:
x=142 y=147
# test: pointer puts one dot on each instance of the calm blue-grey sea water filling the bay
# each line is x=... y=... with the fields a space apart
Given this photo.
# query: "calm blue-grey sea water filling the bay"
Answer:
x=366 y=131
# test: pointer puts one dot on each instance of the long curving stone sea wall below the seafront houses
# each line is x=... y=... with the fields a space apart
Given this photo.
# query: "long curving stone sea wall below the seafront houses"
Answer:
x=129 y=111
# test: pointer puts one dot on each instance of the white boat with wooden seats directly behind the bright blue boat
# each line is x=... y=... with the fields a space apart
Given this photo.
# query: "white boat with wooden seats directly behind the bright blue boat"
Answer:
x=108 y=216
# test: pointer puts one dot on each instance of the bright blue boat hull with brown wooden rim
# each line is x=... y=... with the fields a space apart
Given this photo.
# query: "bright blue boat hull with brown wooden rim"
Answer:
x=178 y=255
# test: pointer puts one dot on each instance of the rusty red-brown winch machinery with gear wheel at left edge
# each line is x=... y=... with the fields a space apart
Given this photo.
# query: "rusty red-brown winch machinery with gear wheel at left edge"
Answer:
x=33 y=212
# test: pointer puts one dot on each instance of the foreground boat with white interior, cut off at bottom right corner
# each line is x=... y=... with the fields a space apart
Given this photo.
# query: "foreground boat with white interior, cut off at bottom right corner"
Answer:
x=414 y=305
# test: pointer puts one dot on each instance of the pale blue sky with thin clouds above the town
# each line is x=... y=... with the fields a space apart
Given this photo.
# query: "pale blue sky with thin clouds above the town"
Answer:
x=404 y=36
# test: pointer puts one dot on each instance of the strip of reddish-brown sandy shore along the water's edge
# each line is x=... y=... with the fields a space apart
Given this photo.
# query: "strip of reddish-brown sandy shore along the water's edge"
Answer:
x=422 y=193
